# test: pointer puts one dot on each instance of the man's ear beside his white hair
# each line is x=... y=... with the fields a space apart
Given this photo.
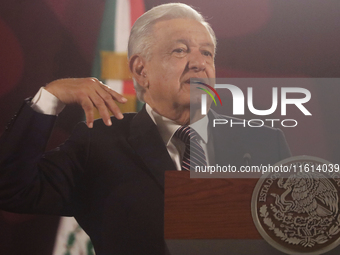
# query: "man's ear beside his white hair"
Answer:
x=138 y=70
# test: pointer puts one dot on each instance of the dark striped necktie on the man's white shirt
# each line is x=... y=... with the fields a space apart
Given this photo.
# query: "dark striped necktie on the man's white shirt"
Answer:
x=193 y=154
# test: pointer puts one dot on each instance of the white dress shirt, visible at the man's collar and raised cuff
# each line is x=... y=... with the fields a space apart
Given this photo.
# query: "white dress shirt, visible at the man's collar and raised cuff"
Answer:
x=46 y=103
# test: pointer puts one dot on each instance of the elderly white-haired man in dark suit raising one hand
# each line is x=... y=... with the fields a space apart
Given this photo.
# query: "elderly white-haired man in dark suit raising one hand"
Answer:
x=109 y=174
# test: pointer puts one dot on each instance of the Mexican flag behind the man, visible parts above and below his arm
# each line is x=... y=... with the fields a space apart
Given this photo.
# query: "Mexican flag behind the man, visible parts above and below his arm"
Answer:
x=111 y=67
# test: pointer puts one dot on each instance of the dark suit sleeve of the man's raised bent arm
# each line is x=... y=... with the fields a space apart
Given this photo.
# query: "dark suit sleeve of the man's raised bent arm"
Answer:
x=32 y=181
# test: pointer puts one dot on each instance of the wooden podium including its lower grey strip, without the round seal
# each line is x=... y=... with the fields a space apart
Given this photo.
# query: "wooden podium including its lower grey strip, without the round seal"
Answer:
x=212 y=216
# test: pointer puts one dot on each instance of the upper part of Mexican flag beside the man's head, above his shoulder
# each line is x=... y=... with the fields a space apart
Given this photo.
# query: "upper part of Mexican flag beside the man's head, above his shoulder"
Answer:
x=111 y=63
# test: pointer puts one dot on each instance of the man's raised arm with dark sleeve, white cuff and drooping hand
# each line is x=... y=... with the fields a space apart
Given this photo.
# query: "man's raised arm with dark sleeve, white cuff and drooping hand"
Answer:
x=32 y=181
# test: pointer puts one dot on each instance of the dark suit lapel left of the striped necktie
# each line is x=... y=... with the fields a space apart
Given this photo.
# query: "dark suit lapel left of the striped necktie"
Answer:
x=148 y=144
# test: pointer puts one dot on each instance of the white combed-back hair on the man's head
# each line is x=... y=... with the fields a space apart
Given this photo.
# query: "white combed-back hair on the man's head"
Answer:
x=140 y=41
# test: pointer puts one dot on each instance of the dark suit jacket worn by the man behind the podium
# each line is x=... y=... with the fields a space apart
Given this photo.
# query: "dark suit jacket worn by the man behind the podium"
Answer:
x=111 y=179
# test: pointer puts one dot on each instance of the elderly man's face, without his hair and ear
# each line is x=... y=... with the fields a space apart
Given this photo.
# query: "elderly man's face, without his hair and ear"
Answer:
x=182 y=49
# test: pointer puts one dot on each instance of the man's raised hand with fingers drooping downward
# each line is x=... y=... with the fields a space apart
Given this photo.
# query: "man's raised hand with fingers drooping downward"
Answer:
x=90 y=93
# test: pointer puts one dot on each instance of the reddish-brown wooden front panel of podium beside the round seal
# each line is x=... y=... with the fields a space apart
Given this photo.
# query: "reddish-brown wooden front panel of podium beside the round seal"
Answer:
x=208 y=208
